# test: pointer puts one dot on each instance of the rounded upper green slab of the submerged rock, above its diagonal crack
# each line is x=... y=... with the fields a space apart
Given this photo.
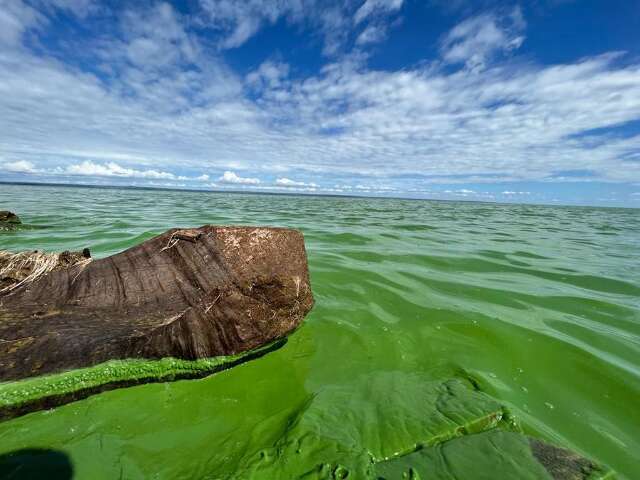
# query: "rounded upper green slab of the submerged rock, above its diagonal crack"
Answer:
x=340 y=432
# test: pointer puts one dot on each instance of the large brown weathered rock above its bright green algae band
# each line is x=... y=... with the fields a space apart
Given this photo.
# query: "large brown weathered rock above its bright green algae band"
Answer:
x=187 y=294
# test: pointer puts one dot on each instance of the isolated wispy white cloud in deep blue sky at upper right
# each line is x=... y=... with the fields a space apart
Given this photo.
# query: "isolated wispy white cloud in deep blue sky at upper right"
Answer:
x=476 y=40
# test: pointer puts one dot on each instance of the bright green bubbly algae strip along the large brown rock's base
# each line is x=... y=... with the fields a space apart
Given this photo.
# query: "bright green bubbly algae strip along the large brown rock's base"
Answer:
x=128 y=372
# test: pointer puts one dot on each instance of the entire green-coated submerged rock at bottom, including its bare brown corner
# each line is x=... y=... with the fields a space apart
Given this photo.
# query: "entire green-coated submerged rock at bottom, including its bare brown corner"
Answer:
x=416 y=428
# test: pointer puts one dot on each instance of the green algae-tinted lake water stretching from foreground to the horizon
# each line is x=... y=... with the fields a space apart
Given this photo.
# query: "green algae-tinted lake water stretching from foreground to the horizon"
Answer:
x=540 y=305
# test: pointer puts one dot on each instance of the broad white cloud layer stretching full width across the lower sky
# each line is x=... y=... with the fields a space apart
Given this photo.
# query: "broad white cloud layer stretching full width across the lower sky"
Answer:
x=496 y=124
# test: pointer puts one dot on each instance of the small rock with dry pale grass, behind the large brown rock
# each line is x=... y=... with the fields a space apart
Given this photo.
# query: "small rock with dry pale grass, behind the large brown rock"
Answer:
x=20 y=268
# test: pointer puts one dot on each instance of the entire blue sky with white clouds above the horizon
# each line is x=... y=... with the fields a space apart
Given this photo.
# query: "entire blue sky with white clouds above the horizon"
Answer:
x=534 y=102
